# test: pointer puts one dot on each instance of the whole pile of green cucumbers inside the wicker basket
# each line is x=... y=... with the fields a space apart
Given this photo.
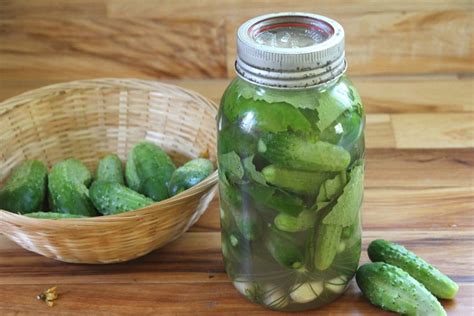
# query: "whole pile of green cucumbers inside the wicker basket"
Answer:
x=71 y=190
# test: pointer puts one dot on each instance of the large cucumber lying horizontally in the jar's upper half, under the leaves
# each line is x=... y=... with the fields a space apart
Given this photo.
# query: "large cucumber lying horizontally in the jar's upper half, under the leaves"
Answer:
x=303 y=153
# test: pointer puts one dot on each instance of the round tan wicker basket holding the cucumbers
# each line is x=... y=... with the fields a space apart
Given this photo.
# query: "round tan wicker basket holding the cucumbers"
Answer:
x=86 y=120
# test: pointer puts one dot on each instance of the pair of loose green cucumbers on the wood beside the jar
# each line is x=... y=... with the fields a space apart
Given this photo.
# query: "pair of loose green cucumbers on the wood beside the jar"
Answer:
x=398 y=280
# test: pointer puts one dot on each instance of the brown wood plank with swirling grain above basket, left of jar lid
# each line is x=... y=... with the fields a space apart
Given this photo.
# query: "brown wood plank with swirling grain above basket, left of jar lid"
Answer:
x=67 y=48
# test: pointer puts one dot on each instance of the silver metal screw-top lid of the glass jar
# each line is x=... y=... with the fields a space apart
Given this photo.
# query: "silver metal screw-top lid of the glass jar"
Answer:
x=290 y=50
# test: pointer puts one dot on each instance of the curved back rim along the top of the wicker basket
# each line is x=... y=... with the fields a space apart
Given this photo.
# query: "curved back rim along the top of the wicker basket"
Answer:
x=94 y=83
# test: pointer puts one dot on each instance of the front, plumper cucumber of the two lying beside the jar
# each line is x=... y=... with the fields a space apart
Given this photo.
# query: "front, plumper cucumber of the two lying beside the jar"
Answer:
x=393 y=289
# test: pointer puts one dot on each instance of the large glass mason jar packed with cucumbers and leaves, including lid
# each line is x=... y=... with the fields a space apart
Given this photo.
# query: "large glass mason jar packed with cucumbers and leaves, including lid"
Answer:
x=291 y=163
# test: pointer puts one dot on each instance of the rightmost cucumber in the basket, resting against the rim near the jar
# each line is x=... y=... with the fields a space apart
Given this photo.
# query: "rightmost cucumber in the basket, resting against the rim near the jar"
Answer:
x=190 y=174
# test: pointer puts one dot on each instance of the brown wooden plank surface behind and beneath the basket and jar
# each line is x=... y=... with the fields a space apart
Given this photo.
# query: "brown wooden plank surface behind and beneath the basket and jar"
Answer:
x=412 y=62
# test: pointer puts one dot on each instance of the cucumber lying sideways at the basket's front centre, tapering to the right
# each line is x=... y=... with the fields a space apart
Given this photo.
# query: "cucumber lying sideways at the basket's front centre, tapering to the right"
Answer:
x=114 y=198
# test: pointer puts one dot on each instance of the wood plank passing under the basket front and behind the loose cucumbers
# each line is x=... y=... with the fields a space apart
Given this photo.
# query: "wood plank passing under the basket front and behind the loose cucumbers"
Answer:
x=196 y=257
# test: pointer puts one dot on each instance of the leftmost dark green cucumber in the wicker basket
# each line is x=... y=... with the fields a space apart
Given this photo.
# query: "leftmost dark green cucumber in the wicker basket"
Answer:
x=25 y=190
